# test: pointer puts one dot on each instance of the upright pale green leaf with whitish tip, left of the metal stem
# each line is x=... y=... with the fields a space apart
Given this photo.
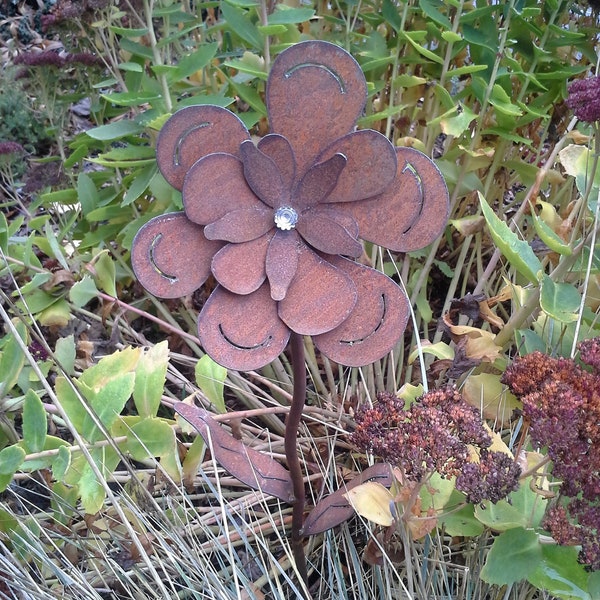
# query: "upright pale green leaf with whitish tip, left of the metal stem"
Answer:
x=150 y=376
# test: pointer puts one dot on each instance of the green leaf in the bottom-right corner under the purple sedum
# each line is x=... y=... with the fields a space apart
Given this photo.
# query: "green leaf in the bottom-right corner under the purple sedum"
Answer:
x=560 y=574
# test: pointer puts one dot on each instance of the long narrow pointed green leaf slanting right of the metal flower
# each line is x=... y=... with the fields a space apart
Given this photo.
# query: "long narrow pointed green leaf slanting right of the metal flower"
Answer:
x=518 y=252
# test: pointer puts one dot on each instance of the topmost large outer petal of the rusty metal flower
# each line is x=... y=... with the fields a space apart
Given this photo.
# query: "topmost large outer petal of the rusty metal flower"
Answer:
x=315 y=93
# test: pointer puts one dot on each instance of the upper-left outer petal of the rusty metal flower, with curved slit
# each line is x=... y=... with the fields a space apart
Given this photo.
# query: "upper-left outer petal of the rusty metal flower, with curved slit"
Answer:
x=192 y=133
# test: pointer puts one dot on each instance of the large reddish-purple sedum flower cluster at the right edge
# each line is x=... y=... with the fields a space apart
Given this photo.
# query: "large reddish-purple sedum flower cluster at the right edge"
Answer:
x=561 y=404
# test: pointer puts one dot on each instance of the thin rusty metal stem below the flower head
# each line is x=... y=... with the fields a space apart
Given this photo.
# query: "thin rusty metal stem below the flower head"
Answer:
x=291 y=453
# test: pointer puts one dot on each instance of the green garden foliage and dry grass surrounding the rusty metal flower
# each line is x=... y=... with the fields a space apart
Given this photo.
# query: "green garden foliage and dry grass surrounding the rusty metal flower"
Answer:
x=131 y=502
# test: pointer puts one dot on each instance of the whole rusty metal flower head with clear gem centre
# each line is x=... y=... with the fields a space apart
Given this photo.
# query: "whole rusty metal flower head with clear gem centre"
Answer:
x=280 y=223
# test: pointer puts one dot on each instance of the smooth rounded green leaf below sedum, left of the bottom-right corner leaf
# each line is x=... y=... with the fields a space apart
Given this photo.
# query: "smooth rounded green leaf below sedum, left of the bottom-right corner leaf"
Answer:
x=514 y=556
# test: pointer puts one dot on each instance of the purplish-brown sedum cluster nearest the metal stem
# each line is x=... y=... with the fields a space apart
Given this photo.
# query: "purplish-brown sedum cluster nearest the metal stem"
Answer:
x=434 y=434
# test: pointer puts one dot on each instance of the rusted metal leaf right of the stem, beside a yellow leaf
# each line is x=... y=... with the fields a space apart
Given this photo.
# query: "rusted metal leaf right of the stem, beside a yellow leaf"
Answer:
x=335 y=508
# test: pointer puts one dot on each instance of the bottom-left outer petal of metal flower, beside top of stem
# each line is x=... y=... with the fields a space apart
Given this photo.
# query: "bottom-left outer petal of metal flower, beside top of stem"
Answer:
x=242 y=332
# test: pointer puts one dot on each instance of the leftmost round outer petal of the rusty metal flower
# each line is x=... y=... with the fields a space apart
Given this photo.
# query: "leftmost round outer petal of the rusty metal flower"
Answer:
x=158 y=262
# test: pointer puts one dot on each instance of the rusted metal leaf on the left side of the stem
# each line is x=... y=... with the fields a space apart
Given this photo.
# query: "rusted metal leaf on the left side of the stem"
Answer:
x=257 y=470
